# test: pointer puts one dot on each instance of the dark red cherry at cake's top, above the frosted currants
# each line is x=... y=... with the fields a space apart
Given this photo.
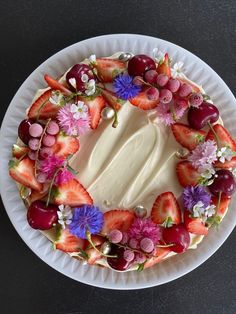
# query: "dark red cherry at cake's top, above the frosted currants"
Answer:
x=139 y=64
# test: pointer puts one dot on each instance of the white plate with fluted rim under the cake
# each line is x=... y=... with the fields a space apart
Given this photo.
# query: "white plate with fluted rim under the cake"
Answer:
x=170 y=269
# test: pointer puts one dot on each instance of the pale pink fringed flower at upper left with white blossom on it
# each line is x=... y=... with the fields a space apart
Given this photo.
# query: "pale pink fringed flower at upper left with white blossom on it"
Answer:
x=70 y=123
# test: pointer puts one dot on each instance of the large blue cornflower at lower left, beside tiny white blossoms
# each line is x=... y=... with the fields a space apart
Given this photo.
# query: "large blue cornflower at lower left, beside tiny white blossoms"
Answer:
x=86 y=217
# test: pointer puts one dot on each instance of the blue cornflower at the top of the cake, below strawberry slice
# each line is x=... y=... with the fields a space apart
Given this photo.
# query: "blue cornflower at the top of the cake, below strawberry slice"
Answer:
x=124 y=86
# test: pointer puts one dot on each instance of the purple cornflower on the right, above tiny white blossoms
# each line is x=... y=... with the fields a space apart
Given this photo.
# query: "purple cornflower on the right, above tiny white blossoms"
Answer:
x=193 y=194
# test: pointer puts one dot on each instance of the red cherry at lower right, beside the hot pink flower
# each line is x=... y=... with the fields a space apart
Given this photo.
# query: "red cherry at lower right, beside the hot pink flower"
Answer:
x=179 y=236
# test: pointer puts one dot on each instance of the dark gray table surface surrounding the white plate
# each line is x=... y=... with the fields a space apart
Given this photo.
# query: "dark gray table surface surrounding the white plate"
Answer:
x=30 y=32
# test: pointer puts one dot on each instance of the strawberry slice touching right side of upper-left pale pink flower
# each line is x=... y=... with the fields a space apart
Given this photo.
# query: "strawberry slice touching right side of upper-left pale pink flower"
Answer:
x=95 y=108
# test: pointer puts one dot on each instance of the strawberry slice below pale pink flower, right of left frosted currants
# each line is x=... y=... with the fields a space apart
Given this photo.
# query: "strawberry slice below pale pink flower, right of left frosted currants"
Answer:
x=65 y=145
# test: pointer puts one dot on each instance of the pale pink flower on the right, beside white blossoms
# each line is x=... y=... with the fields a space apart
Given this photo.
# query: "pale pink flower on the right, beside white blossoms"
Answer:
x=203 y=156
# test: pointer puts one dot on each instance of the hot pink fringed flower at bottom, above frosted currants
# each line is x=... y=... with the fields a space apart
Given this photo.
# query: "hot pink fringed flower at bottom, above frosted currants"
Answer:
x=144 y=228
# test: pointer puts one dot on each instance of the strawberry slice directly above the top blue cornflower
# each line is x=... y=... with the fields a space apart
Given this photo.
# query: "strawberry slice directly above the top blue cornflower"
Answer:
x=107 y=69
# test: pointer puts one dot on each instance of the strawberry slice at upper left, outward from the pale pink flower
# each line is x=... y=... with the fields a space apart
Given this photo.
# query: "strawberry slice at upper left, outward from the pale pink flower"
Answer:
x=42 y=108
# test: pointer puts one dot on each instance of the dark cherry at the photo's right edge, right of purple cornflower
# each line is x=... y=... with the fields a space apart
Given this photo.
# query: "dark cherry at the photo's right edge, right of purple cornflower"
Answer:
x=223 y=182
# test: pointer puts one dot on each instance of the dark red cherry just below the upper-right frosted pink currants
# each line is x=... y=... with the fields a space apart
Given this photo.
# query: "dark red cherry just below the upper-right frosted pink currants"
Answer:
x=199 y=117
